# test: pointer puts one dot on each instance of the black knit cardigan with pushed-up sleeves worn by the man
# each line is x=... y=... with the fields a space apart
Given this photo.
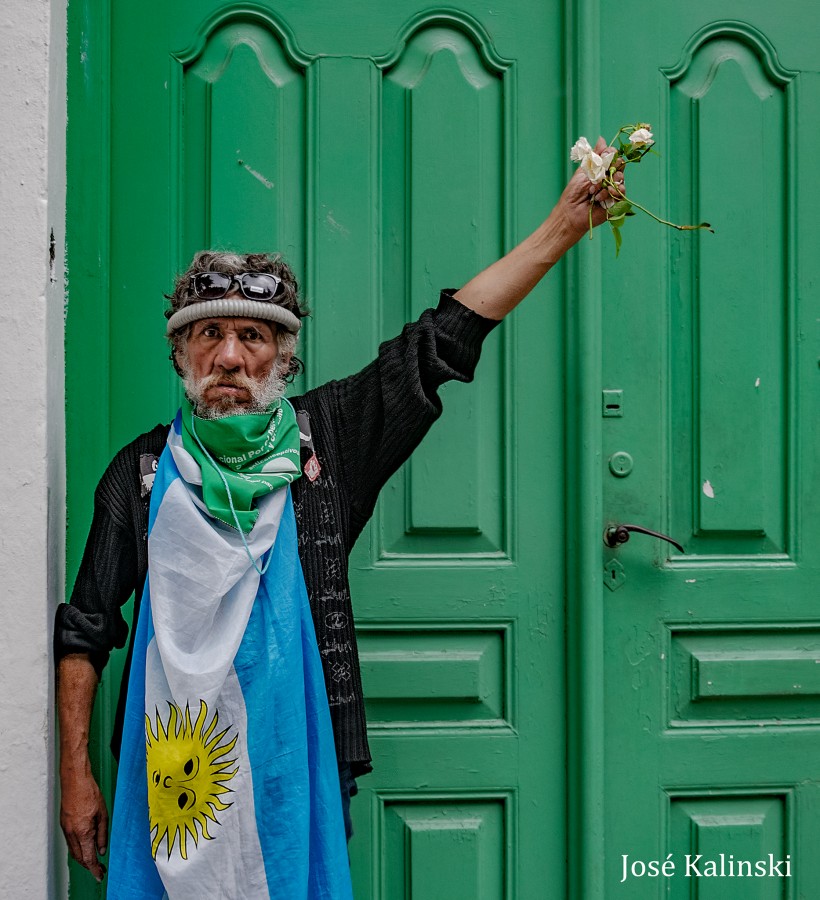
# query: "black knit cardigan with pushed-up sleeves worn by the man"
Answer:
x=364 y=427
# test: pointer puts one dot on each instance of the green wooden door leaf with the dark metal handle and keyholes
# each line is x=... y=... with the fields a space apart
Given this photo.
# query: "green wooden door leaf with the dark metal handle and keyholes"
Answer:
x=711 y=660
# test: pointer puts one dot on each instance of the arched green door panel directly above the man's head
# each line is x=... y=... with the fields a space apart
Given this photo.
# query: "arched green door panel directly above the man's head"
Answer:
x=243 y=115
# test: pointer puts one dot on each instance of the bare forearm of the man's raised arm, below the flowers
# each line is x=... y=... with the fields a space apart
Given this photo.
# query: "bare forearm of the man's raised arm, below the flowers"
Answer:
x=502 y=286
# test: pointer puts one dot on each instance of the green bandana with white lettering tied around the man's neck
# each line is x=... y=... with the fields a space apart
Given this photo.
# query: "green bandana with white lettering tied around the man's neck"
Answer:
x=255 y=454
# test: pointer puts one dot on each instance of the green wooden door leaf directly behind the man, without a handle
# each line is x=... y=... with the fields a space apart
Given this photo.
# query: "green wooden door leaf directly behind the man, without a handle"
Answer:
x=387 y=151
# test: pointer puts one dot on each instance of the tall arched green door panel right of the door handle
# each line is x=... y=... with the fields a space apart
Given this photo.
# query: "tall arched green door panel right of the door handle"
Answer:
x=731 y=303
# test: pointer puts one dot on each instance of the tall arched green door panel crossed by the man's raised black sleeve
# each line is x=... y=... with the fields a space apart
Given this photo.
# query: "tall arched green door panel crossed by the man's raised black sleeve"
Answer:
x=443 y=216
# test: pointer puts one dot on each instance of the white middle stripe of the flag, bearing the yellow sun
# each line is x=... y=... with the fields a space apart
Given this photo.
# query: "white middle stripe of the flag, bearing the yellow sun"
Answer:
x=200 y=786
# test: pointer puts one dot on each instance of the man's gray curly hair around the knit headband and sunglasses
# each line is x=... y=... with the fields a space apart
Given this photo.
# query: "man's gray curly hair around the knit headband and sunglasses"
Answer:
x=235 y=264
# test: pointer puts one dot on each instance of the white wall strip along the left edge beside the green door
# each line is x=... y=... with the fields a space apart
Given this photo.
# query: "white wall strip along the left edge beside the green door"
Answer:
x=32 y=492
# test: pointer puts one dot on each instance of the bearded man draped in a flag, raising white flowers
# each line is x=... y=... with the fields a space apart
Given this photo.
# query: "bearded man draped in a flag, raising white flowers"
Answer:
x=209 y=492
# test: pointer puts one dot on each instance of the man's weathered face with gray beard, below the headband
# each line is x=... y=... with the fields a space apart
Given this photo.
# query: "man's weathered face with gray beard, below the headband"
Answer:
x=233 y=365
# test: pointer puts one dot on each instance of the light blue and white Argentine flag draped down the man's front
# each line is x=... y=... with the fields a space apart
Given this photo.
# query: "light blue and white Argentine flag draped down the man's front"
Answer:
x=228 y=786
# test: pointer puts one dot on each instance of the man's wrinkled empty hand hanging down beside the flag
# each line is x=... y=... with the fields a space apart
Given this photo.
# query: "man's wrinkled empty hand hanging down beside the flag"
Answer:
x=84 y=820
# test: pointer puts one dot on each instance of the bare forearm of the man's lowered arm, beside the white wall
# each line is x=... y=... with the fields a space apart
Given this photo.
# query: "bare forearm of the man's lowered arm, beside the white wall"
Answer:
x=76 y=688
